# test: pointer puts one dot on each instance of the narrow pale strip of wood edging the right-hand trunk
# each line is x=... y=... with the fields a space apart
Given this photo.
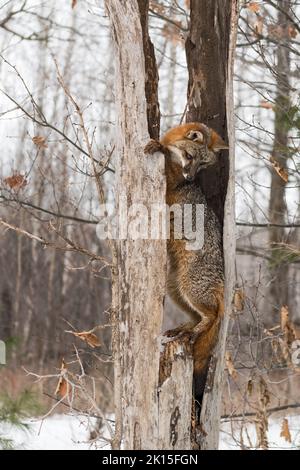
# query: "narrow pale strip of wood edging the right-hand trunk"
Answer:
x=211 y=404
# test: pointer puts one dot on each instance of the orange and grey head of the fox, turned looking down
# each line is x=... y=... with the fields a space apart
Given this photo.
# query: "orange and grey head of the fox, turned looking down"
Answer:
x=192 y=147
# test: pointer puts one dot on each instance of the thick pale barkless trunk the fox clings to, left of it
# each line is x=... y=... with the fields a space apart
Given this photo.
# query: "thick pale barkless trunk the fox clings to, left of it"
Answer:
x=141 y=263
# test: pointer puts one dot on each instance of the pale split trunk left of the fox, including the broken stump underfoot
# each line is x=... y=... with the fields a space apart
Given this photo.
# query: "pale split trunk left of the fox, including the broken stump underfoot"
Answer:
x=153 y=406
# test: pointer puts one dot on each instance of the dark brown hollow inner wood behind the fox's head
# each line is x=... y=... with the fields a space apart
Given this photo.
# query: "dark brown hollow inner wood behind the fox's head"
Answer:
x=207 y=48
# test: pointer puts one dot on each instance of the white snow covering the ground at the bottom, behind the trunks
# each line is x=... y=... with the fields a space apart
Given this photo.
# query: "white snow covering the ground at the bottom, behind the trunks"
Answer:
x=70 y=432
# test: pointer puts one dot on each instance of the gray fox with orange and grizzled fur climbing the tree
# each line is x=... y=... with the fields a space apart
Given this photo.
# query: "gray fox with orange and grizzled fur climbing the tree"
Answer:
x=195 y=277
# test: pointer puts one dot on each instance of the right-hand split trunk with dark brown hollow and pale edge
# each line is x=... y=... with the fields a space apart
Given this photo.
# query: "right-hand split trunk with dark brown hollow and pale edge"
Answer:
x=210 y=50
